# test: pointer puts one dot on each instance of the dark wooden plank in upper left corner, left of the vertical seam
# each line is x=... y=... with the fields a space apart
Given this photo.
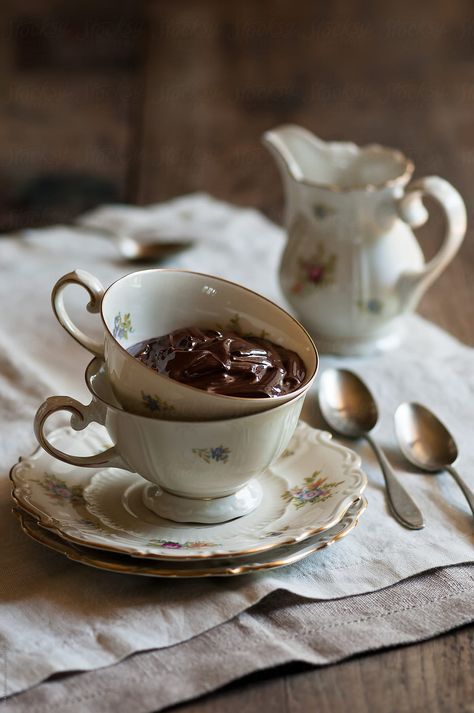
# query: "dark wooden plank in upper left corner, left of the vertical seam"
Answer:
x=68 y=82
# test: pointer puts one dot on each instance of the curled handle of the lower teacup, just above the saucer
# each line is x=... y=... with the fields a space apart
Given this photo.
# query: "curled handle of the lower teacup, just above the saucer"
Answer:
x=81 y=416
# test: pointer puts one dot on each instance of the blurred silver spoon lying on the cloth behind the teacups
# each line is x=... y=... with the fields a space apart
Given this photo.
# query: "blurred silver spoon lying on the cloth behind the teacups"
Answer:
x=141 y=246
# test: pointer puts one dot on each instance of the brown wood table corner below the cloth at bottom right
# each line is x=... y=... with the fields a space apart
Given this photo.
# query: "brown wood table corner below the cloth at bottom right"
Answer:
x=434 y=676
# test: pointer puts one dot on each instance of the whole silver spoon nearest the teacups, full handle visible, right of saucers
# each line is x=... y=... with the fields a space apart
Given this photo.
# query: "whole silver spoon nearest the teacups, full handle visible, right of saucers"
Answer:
x=350 y=410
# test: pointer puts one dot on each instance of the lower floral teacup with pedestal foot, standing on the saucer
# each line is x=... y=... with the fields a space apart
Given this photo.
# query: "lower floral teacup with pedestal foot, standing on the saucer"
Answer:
x=198 y=471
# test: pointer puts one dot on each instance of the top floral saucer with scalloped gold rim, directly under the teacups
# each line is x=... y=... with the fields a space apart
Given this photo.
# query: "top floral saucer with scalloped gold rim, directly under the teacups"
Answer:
x=307 y=491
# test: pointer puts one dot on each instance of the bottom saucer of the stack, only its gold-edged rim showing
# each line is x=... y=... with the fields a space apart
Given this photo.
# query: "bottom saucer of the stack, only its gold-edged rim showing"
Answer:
x=122 y=564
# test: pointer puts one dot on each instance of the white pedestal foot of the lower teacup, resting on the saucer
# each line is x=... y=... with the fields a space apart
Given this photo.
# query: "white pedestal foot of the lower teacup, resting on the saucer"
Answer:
x=209 y=511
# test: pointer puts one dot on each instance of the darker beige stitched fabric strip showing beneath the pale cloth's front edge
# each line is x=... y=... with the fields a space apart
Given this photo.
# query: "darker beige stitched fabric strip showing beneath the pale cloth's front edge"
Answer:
x=280 y=630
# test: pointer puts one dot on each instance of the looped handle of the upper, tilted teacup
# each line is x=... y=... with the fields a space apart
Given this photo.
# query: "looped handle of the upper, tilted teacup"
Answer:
x=96 y=292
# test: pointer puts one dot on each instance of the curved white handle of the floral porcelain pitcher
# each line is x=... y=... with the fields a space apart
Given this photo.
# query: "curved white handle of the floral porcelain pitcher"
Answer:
x=412 y=285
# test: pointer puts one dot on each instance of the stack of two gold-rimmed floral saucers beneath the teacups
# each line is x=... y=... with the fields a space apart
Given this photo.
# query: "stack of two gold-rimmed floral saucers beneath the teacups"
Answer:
x=312 y=498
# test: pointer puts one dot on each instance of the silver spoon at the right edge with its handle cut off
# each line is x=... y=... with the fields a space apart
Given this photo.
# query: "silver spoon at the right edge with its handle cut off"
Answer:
x=427 y=443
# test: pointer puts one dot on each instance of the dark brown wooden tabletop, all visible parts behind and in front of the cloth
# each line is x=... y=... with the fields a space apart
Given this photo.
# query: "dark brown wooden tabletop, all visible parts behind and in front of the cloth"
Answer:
x=139 y=102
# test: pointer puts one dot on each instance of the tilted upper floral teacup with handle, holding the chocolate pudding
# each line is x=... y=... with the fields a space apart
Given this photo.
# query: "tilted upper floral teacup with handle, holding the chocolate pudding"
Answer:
x=151 y=303
